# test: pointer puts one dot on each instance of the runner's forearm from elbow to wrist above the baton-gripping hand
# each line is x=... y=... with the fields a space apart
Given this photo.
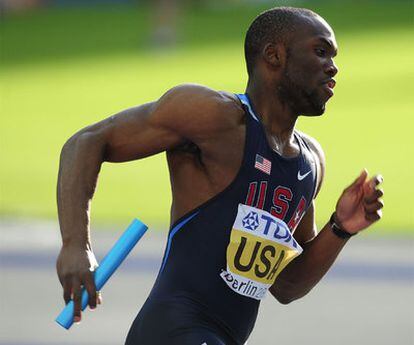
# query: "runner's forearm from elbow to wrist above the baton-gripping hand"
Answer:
x=80 y=162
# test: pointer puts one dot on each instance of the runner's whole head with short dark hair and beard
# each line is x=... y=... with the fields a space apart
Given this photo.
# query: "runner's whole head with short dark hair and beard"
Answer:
x=291 y=51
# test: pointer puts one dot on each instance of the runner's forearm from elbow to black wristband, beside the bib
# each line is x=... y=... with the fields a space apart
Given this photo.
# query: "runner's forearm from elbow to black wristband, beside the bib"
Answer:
x=302 y=274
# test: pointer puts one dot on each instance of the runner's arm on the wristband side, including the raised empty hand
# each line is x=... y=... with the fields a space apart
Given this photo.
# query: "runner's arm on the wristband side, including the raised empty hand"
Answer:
x=358 y=207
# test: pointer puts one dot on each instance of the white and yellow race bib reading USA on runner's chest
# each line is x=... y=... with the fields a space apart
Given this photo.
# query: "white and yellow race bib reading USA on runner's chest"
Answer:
x=260 y=247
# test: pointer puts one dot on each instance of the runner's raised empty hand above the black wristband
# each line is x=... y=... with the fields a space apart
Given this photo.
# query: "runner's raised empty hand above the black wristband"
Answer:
x=360 y=205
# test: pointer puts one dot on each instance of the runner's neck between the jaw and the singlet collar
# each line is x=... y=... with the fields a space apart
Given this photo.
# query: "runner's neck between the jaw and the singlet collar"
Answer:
x=277 y=117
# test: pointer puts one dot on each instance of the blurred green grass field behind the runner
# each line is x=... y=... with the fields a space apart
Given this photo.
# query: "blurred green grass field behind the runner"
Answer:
x=64 y=67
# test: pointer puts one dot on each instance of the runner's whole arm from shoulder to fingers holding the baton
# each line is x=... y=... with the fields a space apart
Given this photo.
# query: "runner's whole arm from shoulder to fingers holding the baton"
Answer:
x=132 y=134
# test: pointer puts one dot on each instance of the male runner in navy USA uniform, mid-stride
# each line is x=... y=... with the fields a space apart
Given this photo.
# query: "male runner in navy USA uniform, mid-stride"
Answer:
x=243 y=183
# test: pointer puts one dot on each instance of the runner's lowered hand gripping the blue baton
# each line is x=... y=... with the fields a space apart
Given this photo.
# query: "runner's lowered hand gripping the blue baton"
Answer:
x=75 y=267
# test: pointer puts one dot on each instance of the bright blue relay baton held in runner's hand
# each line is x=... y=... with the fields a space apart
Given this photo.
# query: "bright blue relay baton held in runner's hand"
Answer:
x=108 y=266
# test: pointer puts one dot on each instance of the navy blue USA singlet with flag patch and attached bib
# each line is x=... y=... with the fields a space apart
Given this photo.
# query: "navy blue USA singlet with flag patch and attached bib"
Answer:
x=221 y=258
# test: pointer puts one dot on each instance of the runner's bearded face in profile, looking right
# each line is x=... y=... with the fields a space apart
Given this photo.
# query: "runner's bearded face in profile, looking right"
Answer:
x=307 y=82
